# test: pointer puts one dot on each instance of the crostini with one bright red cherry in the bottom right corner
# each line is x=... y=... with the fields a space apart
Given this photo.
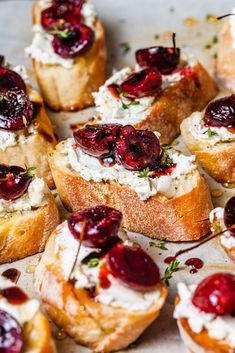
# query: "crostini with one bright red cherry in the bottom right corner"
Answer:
x=204 y=314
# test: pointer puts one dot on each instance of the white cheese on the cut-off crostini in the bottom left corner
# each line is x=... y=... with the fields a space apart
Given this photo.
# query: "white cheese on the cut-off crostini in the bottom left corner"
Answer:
x=22 y=313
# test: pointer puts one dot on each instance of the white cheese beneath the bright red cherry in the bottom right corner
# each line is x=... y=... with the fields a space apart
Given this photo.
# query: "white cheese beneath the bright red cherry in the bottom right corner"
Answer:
x=218 y=327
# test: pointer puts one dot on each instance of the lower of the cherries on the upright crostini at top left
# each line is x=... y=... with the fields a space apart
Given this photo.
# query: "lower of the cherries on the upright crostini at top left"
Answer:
x=78 y=42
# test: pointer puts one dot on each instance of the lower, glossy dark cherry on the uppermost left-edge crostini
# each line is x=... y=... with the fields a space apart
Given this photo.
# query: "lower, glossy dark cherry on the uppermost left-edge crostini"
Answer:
x=16 y=110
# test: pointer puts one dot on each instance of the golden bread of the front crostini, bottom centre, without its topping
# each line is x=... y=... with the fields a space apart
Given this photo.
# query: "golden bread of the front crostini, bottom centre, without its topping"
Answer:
x=102 y=328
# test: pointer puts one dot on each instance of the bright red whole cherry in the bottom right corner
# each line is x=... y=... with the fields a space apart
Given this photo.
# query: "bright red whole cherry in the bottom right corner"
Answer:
x=216 y=294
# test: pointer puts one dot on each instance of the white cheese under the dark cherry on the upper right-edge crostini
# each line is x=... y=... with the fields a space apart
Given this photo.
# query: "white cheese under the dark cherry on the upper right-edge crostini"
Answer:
x=199 y=131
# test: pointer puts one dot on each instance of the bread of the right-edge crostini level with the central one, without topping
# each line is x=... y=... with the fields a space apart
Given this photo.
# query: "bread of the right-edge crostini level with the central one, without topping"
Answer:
x=218 y=160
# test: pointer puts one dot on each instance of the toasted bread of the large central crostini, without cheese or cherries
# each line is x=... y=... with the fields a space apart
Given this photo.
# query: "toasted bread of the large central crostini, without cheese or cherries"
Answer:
x=183 y=218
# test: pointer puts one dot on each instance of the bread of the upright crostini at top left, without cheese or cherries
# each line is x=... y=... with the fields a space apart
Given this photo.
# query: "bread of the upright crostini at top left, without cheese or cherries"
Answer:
x=70 y=89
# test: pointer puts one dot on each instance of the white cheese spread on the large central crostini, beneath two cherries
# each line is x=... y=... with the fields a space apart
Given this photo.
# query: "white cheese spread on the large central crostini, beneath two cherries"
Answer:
x=90 y=168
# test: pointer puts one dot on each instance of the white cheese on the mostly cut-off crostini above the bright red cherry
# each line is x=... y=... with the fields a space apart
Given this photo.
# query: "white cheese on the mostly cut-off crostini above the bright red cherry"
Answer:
x=217 y=217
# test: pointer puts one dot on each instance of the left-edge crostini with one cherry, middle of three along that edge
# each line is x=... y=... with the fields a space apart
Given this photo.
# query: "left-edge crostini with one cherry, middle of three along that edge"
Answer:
x=28 y=213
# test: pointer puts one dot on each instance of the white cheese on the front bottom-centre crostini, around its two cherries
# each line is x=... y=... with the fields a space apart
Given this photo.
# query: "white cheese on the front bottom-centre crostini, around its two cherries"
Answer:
x=117 y=295
